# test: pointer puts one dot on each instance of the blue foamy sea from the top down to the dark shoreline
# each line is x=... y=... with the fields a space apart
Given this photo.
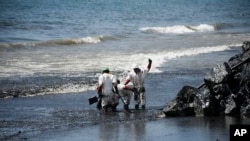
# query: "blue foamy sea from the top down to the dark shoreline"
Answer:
x=61 y=46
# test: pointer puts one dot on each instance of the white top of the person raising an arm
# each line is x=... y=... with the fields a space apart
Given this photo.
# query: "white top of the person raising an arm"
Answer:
x=137 y=79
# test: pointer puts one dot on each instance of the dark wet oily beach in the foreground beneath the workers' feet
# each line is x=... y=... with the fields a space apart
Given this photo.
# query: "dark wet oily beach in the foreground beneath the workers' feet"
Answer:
x=69 y=117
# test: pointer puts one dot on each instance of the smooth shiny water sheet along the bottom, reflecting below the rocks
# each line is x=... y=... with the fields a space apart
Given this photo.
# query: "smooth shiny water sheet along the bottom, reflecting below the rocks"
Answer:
x=174 y=129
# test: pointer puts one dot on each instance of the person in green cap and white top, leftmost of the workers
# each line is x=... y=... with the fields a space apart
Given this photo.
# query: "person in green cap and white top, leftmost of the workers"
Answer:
x=107 y=90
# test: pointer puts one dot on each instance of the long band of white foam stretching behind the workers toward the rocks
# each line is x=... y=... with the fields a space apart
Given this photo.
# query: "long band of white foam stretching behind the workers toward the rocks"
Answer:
x=117 y=62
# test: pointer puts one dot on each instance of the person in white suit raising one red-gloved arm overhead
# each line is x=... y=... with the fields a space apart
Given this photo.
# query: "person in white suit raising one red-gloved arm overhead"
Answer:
x=137 y=77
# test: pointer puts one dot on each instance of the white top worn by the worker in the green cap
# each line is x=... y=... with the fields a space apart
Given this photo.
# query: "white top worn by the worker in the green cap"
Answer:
x=107 y=80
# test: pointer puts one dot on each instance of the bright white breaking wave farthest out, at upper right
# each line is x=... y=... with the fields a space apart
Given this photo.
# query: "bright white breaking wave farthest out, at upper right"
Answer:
x=180 y=29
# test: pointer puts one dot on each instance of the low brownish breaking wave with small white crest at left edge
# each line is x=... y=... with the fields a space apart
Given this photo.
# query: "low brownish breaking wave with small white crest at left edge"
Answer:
x=71 y=41
